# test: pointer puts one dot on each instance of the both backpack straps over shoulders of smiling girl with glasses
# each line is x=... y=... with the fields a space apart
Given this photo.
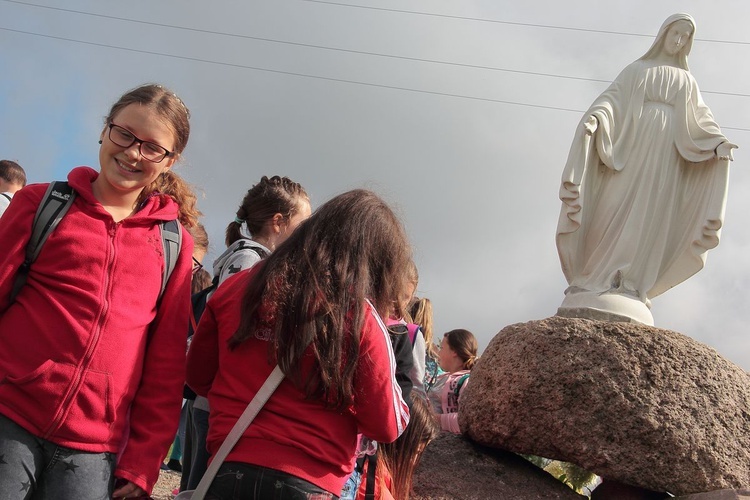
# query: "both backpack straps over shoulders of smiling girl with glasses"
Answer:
x=54 y=205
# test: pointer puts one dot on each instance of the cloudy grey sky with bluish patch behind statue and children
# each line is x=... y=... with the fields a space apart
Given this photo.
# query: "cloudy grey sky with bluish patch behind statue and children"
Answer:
x=459 y=114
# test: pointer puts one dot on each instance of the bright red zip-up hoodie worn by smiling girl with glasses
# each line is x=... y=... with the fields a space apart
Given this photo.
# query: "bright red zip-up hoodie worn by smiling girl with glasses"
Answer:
x=87 y=359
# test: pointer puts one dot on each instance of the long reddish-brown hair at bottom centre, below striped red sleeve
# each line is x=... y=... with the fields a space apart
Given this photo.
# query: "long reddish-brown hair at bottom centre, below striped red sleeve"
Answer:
x=402 y=456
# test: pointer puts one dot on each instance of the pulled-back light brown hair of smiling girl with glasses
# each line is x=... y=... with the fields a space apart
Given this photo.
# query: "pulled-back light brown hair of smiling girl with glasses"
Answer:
x=177 y=116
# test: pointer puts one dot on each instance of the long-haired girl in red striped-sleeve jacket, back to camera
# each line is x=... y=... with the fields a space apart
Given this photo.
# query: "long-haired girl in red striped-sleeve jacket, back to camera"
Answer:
x=314 y=307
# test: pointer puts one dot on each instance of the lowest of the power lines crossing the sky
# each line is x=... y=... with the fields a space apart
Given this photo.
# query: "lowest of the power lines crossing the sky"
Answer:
x=304 y=75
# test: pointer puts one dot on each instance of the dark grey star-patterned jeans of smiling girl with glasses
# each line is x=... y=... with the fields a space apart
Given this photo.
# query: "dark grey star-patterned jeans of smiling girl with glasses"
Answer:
x=34 y=468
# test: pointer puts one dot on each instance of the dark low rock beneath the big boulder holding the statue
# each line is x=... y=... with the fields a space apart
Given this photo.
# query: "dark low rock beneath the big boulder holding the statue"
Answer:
x=455 y=468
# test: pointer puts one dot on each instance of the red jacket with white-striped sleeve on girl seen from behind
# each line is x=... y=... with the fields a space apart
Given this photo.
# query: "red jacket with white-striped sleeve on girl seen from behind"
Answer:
x=291 y=434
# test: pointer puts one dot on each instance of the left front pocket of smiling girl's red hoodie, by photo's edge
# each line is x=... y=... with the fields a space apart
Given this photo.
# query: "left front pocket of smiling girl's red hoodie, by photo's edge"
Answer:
x=36 y=396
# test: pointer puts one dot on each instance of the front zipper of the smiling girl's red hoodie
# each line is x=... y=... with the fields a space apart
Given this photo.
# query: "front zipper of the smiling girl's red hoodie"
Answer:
x=82 y=368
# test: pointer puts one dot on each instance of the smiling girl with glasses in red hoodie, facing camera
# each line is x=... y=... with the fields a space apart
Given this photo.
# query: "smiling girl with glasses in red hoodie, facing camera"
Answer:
x=91 y=351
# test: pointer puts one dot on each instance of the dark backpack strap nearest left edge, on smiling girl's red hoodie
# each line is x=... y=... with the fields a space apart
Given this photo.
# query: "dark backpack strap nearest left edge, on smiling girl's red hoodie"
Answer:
x=54 y=205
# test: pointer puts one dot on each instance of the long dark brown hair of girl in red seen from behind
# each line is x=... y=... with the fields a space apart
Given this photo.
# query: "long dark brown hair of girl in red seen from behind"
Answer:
x=311 y=291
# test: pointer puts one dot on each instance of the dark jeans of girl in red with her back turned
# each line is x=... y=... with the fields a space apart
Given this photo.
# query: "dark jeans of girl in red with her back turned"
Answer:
x=238 y=481
